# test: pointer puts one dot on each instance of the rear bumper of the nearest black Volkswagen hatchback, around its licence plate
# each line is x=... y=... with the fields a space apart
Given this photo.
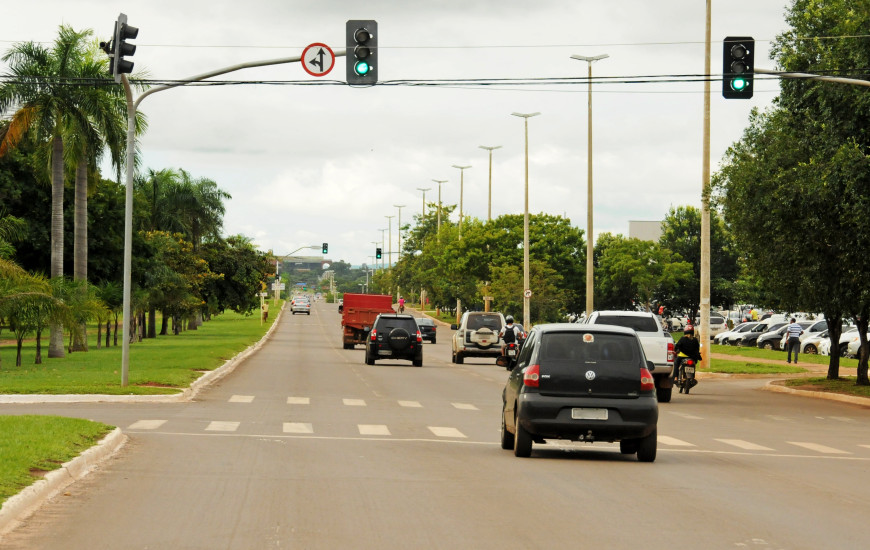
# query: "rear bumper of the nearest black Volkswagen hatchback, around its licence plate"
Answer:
x=550 y=417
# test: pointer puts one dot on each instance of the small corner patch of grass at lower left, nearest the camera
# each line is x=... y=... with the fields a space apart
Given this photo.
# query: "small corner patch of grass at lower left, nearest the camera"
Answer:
x=33 y=445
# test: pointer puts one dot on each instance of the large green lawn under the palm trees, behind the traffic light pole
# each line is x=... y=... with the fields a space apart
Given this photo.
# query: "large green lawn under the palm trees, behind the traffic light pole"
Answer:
x=162 y=365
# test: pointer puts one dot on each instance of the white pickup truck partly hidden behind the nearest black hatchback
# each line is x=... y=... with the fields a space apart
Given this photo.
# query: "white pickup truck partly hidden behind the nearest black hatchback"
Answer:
x=658 y=346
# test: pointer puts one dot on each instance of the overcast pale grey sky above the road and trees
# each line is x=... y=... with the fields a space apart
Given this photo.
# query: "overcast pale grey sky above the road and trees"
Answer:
x=313 y=164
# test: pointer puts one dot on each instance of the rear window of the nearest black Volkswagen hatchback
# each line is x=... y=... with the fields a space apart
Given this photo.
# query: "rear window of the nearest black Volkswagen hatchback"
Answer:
x=584 y=347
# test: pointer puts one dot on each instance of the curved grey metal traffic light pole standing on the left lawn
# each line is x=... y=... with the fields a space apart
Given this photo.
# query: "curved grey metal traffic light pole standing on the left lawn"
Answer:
x=132 y=107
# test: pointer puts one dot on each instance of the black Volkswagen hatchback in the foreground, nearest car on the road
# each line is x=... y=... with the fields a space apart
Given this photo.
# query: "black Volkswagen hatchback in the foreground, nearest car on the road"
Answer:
x=582 y=383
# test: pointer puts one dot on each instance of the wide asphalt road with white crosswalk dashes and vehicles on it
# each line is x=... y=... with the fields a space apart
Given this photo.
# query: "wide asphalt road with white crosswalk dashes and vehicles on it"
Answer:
x=304 y=446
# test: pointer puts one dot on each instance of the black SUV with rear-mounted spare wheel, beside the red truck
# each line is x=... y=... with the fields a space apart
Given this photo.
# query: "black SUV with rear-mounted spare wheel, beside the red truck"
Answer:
x=395 y=336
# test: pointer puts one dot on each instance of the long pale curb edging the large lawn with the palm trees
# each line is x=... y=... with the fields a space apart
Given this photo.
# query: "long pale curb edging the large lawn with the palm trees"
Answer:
x=196 y=386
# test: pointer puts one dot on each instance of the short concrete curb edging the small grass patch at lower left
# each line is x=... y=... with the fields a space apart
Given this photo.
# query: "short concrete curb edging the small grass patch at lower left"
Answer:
x=19 y=507
